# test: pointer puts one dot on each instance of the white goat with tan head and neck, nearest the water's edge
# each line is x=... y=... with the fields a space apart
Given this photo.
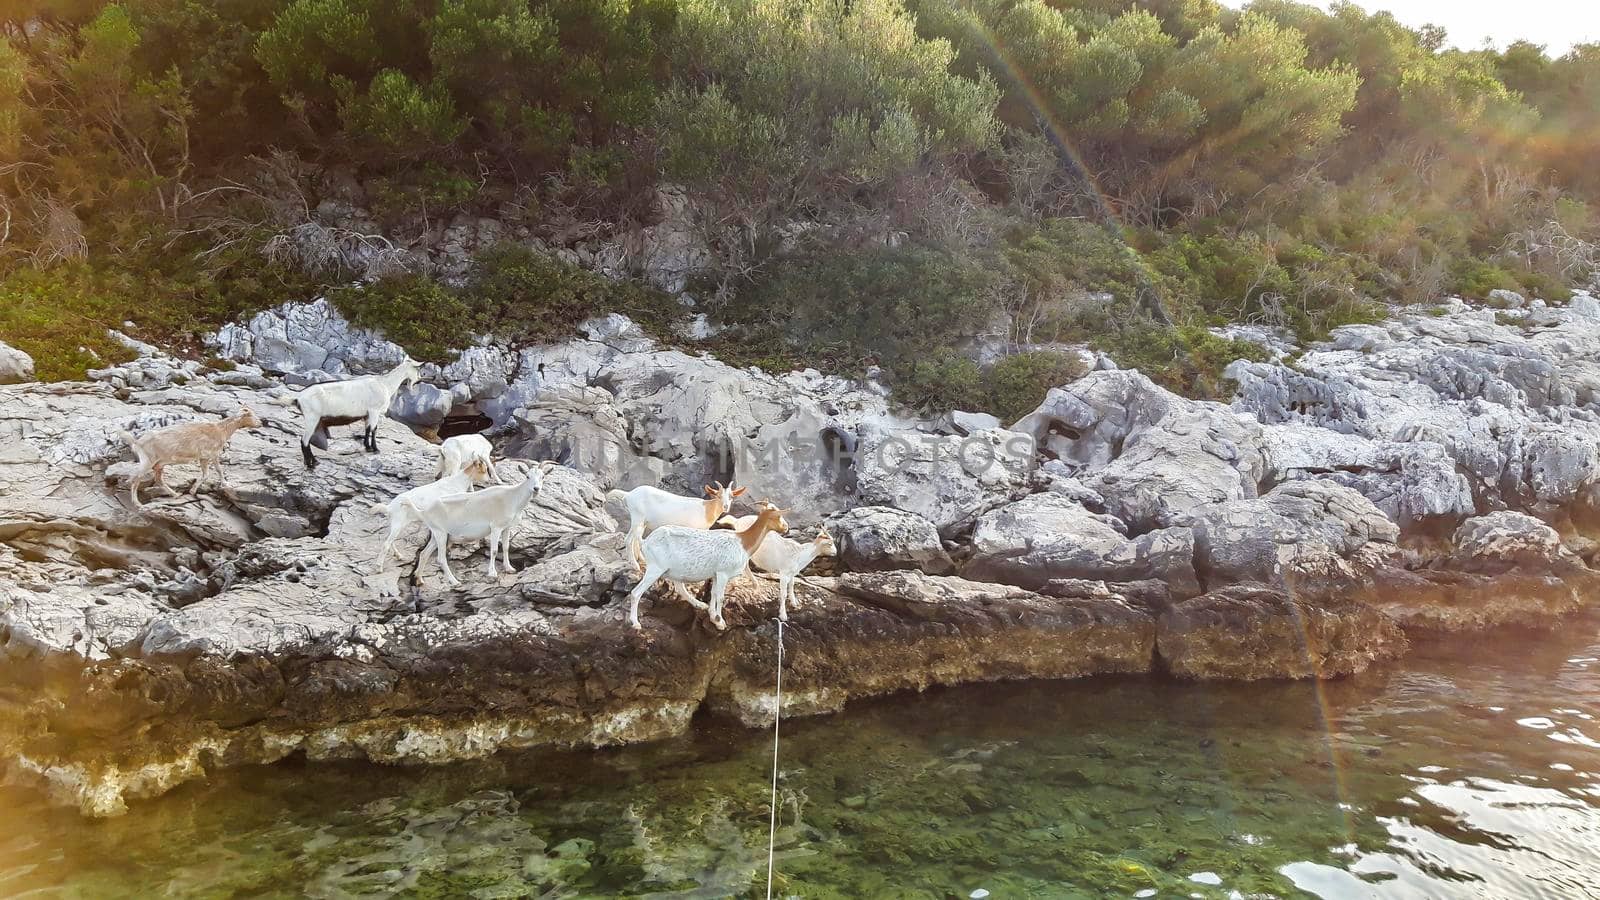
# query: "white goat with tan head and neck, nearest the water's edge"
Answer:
x=692 y=555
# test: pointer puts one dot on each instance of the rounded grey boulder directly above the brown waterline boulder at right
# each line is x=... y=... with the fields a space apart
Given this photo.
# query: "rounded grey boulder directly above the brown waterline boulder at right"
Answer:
x=1313 y=536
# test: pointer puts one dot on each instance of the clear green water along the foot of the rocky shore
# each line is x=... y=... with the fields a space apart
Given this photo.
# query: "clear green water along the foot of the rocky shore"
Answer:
x=1473 y=773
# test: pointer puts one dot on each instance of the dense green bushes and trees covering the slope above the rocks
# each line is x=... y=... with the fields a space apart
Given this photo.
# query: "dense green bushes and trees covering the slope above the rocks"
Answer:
x=876 y=182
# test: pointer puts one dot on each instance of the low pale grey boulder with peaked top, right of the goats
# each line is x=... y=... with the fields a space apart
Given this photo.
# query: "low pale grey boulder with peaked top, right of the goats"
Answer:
x=1050 y=537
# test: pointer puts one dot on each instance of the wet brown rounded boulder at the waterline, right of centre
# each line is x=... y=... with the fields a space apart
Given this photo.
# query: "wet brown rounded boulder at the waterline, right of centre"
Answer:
x=1250 y=633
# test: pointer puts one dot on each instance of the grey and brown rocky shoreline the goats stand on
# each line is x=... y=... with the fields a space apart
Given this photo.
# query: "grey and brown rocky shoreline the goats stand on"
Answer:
x=1431 y=475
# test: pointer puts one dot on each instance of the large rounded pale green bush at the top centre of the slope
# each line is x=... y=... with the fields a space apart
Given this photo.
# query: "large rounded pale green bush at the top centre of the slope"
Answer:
x=812 y=103
